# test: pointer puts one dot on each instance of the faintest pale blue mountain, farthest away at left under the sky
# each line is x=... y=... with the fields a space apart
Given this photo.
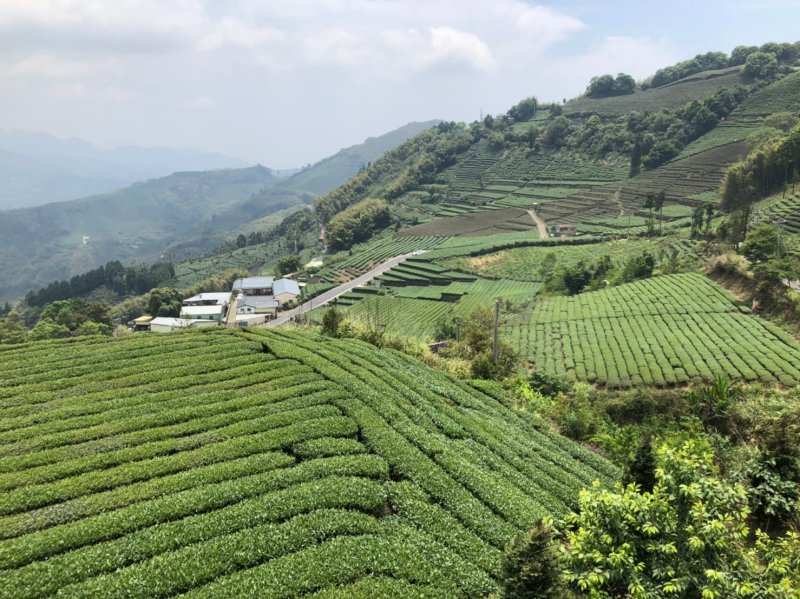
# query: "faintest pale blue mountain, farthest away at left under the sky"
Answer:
x=40 y=169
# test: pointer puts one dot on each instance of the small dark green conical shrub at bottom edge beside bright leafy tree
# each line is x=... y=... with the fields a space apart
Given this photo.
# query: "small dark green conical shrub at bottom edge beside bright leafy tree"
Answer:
x=531 y=568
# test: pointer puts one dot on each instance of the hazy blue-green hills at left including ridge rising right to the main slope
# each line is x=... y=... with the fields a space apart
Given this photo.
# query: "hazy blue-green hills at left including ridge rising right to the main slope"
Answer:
x=187 y=213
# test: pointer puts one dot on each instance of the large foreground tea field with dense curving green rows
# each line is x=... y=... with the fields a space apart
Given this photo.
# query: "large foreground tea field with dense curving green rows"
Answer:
x=226 y=464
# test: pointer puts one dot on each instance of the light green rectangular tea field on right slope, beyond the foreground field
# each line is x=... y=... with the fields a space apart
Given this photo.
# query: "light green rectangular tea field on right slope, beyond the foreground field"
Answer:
x=668 y=330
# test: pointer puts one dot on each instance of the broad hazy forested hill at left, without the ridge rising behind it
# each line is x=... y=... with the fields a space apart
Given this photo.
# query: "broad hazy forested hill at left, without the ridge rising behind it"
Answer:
x=138 y=223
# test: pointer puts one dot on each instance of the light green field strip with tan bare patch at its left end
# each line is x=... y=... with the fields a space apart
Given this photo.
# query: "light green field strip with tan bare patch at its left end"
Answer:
x=525 y=263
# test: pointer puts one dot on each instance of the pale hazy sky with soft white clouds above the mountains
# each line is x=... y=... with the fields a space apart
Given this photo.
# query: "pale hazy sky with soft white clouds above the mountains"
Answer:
x=287 y=82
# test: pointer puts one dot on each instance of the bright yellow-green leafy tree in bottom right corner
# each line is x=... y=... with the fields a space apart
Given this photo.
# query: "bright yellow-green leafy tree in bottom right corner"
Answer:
x=687 y=538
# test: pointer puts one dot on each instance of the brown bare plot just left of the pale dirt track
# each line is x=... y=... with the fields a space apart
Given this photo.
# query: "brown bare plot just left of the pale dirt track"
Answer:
x=487 y=222
